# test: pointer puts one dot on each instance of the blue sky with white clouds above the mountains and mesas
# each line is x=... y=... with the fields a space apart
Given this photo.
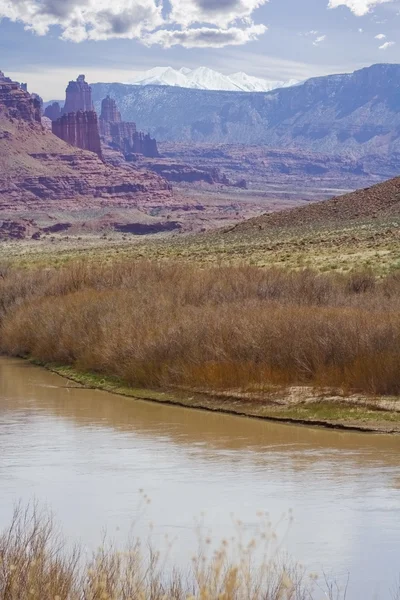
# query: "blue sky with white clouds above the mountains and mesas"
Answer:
x=48 y=42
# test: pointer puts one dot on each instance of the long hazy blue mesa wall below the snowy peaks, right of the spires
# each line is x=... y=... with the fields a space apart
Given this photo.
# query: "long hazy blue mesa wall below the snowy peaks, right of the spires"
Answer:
x=356 y=113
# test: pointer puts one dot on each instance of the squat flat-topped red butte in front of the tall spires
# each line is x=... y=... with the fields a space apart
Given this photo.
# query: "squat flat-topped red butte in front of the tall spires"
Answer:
x=80 y=129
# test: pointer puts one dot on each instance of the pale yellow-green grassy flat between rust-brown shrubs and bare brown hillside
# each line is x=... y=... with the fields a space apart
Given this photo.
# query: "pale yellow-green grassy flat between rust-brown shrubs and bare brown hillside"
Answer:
x=363 y=244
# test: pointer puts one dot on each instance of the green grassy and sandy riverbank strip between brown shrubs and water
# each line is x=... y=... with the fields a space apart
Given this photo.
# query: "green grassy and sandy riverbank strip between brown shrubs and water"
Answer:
x=300 y=406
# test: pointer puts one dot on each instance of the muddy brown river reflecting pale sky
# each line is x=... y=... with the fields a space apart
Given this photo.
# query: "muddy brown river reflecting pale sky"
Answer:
x=88 y=454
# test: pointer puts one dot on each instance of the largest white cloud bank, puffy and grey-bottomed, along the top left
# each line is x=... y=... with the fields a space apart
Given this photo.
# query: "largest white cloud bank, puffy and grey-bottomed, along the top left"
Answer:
x=225 y=22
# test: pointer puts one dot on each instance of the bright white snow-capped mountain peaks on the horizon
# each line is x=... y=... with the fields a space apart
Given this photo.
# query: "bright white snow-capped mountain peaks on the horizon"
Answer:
x=207 y=79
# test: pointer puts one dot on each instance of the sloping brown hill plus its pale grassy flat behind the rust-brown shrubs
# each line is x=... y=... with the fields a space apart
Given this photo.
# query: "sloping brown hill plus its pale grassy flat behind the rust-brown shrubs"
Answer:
x=358 y=230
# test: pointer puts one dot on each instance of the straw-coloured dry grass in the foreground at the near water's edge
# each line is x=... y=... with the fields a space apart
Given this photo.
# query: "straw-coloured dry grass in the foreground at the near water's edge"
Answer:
x=35 y=565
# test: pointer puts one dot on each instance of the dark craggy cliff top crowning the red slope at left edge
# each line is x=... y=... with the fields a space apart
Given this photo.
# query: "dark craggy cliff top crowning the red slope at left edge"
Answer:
x=17 y=102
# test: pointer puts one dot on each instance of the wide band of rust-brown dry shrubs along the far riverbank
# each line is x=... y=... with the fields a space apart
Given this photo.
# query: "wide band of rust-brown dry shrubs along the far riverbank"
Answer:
x=166 y=325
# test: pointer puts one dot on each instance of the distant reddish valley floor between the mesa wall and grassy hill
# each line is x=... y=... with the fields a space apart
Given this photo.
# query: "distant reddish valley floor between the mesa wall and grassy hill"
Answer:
x=212 y=187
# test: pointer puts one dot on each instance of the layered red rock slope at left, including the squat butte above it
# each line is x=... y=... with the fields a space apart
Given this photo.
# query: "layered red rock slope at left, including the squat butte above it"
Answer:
x=40 y=171
